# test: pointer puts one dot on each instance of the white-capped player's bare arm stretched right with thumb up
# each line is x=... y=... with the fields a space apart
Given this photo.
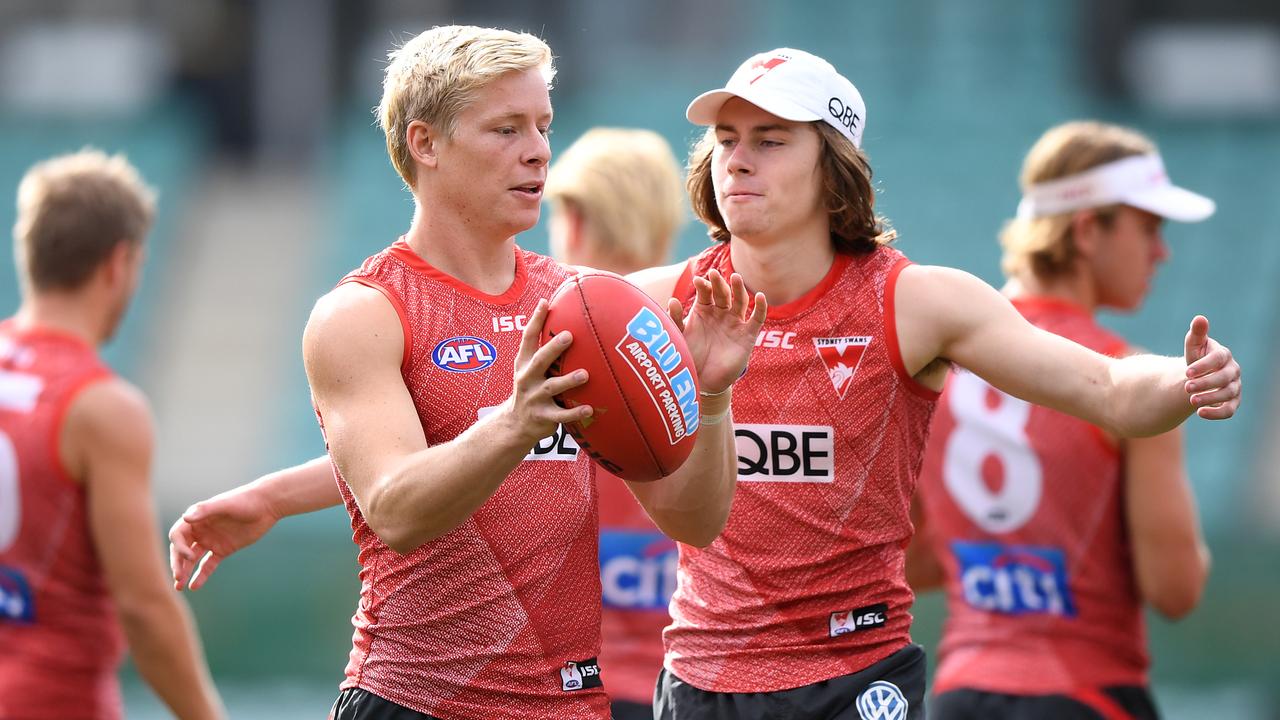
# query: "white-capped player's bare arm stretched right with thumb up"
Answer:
x=953 y=316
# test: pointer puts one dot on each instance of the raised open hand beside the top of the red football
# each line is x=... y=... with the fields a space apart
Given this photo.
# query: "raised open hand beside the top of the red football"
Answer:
x=721 y=329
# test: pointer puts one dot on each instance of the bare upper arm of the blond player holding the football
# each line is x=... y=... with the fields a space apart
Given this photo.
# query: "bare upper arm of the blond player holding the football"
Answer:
x=353 y=350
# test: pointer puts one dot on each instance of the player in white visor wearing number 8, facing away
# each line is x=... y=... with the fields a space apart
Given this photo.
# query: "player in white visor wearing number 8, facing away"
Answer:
x=1050 y=534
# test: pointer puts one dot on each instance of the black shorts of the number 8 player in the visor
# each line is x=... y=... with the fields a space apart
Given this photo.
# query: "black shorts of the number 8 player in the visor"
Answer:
x=1104 y=704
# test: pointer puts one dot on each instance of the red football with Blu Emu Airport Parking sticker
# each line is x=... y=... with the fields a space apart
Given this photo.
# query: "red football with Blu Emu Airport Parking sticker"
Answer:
x=642 y=382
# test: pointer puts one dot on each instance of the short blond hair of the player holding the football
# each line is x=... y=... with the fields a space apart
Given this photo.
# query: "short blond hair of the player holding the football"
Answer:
x=436 y=76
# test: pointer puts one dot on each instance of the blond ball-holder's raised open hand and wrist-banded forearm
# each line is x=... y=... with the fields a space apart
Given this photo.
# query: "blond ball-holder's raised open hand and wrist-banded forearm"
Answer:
x=692 y=505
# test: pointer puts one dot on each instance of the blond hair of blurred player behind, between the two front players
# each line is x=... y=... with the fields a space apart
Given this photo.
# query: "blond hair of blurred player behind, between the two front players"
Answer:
x=628 y=188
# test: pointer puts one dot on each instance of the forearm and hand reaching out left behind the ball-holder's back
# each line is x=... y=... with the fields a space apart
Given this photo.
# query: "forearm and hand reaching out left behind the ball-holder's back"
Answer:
x=212 y=530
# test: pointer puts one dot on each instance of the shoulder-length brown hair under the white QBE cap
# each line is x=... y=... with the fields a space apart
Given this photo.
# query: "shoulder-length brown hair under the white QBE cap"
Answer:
x=848 y=193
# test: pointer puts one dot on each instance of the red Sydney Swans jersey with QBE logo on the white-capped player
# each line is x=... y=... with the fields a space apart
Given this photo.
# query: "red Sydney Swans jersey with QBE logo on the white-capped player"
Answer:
x=808 y=580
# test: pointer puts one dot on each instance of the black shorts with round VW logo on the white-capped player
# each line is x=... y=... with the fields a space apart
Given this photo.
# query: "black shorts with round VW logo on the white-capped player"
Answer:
x=890 y=690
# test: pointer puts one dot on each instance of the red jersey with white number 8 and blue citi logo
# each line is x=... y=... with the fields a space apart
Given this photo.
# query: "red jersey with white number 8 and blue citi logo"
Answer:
x=1025 y=511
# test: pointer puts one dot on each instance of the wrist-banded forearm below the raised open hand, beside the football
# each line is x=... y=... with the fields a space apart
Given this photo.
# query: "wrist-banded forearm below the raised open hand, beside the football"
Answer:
x=693 y=504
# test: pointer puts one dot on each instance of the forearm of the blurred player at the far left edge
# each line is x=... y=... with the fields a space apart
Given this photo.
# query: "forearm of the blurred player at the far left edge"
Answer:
x=167 y=653
